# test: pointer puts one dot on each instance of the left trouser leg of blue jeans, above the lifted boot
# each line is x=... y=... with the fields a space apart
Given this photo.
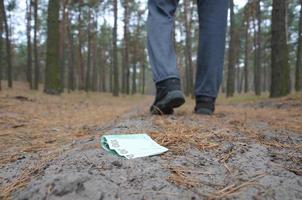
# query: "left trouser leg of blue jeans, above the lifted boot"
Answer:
x=160 y=39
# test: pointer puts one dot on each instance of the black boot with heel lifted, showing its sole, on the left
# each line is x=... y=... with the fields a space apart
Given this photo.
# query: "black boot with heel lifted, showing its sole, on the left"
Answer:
x=168 y=97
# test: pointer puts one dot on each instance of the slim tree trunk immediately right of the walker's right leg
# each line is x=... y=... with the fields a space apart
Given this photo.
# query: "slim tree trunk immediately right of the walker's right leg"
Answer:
x=232 y=56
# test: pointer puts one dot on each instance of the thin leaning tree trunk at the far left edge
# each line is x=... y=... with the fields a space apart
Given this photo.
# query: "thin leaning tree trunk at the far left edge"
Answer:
x=8 y=46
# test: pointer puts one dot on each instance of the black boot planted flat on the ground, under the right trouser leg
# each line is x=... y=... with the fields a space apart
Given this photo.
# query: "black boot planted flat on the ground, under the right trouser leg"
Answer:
x=205 y=105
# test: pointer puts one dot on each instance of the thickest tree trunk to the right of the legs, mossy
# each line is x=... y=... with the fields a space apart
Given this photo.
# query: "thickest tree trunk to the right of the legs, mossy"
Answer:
x=280 y=81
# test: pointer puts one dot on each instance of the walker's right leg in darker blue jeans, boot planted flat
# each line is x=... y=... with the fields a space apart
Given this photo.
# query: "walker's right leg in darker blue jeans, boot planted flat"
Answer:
x=212 y=25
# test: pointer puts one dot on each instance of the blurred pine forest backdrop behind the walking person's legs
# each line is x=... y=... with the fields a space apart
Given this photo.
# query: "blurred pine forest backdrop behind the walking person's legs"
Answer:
x=100 y=46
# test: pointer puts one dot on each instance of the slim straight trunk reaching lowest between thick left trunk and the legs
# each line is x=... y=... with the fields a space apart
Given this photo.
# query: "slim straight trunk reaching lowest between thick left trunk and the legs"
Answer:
x=115 y=91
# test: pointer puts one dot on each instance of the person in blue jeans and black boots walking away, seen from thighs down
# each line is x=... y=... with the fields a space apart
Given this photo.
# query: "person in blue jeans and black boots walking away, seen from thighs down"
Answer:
x=212 y=32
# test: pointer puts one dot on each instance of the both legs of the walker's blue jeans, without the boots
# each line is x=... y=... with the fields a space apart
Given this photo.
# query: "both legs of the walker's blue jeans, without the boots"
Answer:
x=212 y=25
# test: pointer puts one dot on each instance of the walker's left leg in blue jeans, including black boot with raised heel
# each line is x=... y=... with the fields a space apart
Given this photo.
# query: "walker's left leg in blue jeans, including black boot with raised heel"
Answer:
x=162 y=56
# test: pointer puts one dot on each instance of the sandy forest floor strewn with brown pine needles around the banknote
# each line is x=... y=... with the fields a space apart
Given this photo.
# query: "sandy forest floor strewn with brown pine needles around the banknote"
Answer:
x=250 y=149
